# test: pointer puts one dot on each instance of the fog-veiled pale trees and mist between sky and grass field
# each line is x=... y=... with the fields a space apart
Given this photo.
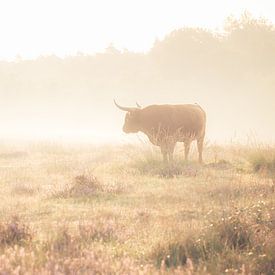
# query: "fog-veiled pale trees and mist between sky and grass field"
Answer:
x=231 y=74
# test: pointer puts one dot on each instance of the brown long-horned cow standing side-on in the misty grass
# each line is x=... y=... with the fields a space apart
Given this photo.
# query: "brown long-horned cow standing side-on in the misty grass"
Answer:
x=165 y=125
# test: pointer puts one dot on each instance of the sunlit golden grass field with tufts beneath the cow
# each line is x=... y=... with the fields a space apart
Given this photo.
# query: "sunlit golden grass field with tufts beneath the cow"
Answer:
x=118 y=210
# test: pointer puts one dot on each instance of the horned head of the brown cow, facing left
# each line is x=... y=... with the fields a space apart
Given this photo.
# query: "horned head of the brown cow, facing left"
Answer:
x=132 y=118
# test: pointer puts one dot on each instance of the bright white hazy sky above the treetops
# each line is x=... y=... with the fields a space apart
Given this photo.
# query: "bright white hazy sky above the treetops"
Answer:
x=34 y=27
